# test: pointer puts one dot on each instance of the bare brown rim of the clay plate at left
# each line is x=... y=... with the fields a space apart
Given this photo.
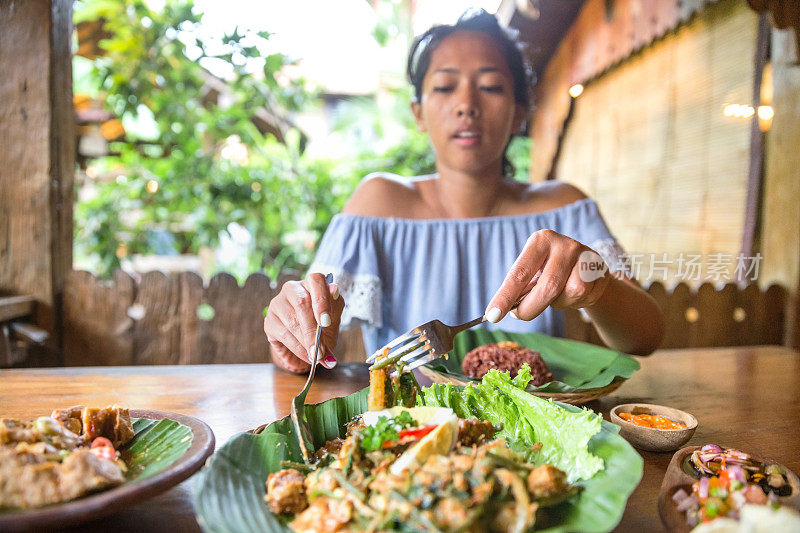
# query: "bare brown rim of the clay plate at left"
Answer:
x=113 y=500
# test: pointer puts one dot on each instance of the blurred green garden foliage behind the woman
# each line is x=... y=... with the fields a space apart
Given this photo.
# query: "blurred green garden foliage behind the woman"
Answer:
x=190 y=167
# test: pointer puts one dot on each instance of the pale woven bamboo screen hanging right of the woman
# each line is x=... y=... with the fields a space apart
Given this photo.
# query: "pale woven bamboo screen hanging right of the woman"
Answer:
x=649 y=139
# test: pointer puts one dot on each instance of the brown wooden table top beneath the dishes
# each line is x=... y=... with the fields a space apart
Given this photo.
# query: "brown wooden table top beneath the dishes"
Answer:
x=744 y=397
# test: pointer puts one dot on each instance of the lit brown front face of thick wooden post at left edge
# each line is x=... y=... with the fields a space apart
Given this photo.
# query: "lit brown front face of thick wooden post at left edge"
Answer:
x=25 y=239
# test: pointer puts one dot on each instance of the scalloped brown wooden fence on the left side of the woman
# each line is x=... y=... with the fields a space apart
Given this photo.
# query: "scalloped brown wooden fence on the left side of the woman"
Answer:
x=171 y=319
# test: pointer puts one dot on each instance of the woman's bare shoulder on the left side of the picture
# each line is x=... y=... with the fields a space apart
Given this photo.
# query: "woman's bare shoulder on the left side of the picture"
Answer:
x=383 y=194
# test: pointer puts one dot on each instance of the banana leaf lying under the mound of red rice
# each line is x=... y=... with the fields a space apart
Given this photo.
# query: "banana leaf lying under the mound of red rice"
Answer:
x=577 y=366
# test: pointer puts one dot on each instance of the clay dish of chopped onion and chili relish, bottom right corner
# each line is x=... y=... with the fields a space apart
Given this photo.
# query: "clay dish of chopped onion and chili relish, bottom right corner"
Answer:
x=713 y=488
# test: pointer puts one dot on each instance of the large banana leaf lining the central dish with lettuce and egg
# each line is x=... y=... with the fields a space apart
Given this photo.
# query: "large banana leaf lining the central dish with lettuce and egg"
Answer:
x=229 y=493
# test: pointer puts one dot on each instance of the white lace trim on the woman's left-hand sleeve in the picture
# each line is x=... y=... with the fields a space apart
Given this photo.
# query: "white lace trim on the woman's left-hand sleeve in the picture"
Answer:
x=362 y=296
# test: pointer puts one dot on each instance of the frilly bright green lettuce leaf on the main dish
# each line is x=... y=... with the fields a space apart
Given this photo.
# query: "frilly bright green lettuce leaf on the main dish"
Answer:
x=564 y=436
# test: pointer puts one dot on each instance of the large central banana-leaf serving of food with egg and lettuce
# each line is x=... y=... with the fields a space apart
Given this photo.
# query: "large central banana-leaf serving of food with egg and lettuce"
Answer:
x=397 y=457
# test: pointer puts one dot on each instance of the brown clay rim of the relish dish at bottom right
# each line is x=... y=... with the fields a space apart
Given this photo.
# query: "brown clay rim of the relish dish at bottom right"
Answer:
x=677 y=477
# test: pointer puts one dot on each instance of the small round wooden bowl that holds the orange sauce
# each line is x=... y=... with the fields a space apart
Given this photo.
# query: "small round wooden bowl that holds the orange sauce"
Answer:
x=652 y=439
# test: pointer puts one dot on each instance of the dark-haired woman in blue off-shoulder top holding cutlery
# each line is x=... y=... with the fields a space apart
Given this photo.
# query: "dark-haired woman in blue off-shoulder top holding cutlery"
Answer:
x=405 y=251
